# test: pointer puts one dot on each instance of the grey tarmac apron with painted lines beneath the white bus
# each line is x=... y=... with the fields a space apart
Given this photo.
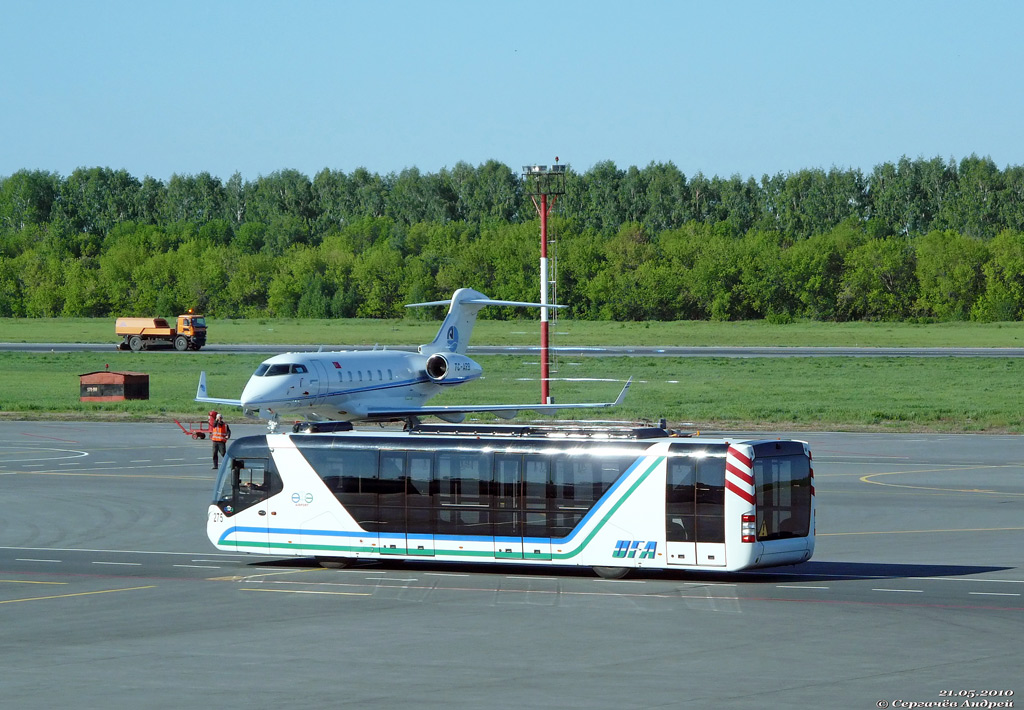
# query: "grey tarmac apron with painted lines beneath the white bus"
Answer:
x=112 y=597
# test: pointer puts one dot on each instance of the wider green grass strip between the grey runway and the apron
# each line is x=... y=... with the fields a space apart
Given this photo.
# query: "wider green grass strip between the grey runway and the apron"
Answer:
x=786 y=394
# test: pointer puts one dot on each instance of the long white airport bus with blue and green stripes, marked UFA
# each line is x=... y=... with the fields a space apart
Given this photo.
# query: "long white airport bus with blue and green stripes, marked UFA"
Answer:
x=608 y=498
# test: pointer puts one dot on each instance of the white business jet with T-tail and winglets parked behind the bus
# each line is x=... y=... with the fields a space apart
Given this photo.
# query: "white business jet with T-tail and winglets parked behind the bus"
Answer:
x=380 y=386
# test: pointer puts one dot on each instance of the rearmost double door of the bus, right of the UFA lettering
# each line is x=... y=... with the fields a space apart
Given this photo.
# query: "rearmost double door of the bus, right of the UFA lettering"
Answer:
x=695 y=508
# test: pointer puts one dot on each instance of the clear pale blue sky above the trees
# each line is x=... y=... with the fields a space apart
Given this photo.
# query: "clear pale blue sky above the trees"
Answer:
x=723 y=89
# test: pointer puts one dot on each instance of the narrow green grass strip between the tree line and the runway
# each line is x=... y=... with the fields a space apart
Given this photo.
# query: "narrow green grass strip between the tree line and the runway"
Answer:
x=527 y=332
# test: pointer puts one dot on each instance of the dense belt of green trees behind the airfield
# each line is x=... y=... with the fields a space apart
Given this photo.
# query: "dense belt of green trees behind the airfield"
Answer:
x=917 y=239
